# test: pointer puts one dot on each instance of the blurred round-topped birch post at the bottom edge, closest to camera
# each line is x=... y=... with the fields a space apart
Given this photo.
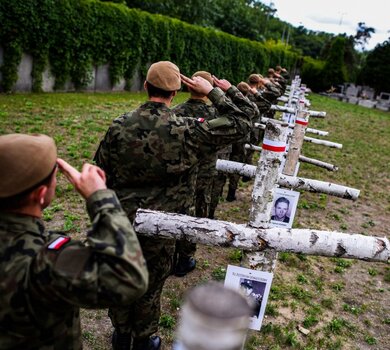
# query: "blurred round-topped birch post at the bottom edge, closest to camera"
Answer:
x=213 y=317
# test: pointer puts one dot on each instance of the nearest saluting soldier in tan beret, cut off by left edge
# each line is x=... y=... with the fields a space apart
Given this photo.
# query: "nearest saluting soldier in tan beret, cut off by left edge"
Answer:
x=45 y=277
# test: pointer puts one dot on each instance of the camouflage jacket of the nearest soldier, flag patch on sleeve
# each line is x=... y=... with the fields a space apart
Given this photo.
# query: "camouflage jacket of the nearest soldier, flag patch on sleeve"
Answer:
x=45 y=277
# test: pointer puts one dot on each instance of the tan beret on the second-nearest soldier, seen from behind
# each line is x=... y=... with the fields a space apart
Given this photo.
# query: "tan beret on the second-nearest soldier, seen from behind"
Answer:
x=164 y=75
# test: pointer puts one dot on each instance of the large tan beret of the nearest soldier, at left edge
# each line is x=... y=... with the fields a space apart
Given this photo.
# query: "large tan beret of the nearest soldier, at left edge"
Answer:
x=25 y=160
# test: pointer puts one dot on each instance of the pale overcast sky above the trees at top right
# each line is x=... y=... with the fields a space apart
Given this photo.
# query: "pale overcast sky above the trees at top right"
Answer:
x=337 y=16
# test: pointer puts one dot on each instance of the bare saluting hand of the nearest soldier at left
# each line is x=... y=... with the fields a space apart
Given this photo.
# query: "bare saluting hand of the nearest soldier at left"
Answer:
x=90 y=180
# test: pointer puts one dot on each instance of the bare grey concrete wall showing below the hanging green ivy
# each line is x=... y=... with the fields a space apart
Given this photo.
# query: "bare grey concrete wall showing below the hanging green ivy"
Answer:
x=100 y=78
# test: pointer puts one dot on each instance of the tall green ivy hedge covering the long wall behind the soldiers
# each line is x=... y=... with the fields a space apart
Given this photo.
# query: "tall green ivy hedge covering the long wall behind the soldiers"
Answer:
x=74 y=35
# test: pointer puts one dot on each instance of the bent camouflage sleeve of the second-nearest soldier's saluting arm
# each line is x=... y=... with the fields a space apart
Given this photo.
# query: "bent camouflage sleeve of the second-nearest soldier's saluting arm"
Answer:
x=231 y=125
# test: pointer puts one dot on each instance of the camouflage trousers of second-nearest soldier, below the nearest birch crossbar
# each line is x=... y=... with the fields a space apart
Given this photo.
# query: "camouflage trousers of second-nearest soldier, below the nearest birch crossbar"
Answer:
x=141 y=318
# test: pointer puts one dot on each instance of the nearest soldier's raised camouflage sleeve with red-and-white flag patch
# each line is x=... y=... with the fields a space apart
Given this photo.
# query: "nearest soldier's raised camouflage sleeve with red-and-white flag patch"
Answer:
x=107 y=269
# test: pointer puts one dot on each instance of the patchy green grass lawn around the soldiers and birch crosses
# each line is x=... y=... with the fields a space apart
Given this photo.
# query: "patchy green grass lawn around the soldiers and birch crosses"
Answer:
x=344 y=303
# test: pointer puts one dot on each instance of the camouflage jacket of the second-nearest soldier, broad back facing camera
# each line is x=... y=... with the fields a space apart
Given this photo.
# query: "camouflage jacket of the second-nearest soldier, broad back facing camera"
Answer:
x=150 y=154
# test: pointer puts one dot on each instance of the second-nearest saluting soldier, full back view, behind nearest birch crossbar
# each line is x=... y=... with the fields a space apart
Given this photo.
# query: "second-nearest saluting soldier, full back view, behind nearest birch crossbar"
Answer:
x=150 y=156
